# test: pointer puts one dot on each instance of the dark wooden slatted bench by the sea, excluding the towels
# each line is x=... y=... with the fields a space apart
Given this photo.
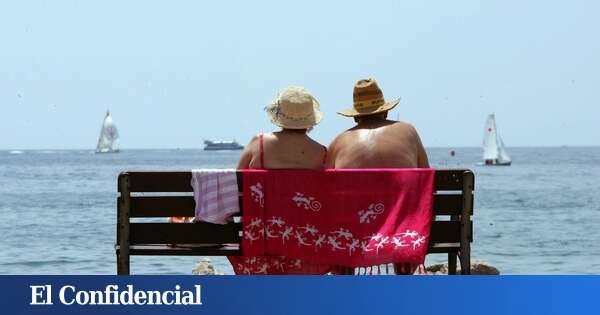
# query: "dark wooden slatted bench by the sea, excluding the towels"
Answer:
x=161 y=194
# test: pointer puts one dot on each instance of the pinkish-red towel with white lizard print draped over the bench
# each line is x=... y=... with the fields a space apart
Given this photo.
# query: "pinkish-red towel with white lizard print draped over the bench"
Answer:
x=353 y=218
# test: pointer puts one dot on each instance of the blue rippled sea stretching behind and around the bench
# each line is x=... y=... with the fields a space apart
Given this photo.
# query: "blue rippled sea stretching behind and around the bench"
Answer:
x=58 y=209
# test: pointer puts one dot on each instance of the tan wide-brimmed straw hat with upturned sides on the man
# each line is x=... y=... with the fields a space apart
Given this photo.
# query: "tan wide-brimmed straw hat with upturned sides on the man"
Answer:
x=368 y=100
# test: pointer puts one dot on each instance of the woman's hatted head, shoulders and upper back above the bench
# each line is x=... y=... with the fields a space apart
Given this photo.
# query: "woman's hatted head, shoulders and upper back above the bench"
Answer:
x=296 y=111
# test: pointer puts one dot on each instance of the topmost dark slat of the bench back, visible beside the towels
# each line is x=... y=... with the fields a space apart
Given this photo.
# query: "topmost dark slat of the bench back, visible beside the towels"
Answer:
x=179 y=181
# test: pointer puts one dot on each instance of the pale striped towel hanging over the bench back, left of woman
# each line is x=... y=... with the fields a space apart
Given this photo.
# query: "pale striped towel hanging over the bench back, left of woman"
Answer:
x=216 y=195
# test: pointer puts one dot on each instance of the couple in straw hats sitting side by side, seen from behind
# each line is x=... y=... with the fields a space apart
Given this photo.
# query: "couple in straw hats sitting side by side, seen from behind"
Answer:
x=375 y=141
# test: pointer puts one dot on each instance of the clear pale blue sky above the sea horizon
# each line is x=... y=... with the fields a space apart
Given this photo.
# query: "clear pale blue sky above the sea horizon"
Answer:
x=174 y=73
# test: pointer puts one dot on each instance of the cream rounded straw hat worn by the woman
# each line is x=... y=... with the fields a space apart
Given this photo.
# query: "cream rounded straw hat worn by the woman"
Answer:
x=294 y=108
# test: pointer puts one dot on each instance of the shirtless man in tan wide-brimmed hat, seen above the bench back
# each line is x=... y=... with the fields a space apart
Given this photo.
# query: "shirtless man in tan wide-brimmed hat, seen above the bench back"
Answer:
x=375 y=141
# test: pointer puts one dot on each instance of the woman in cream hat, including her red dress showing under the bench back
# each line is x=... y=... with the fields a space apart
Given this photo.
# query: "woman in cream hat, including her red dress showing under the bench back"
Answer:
x=296 y=111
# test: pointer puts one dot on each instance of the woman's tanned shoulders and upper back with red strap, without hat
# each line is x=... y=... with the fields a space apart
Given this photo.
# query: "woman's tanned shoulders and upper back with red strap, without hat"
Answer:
x=285 y=149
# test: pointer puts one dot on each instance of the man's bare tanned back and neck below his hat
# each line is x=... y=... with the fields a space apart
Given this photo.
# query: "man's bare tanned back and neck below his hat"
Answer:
x=376 y=142
